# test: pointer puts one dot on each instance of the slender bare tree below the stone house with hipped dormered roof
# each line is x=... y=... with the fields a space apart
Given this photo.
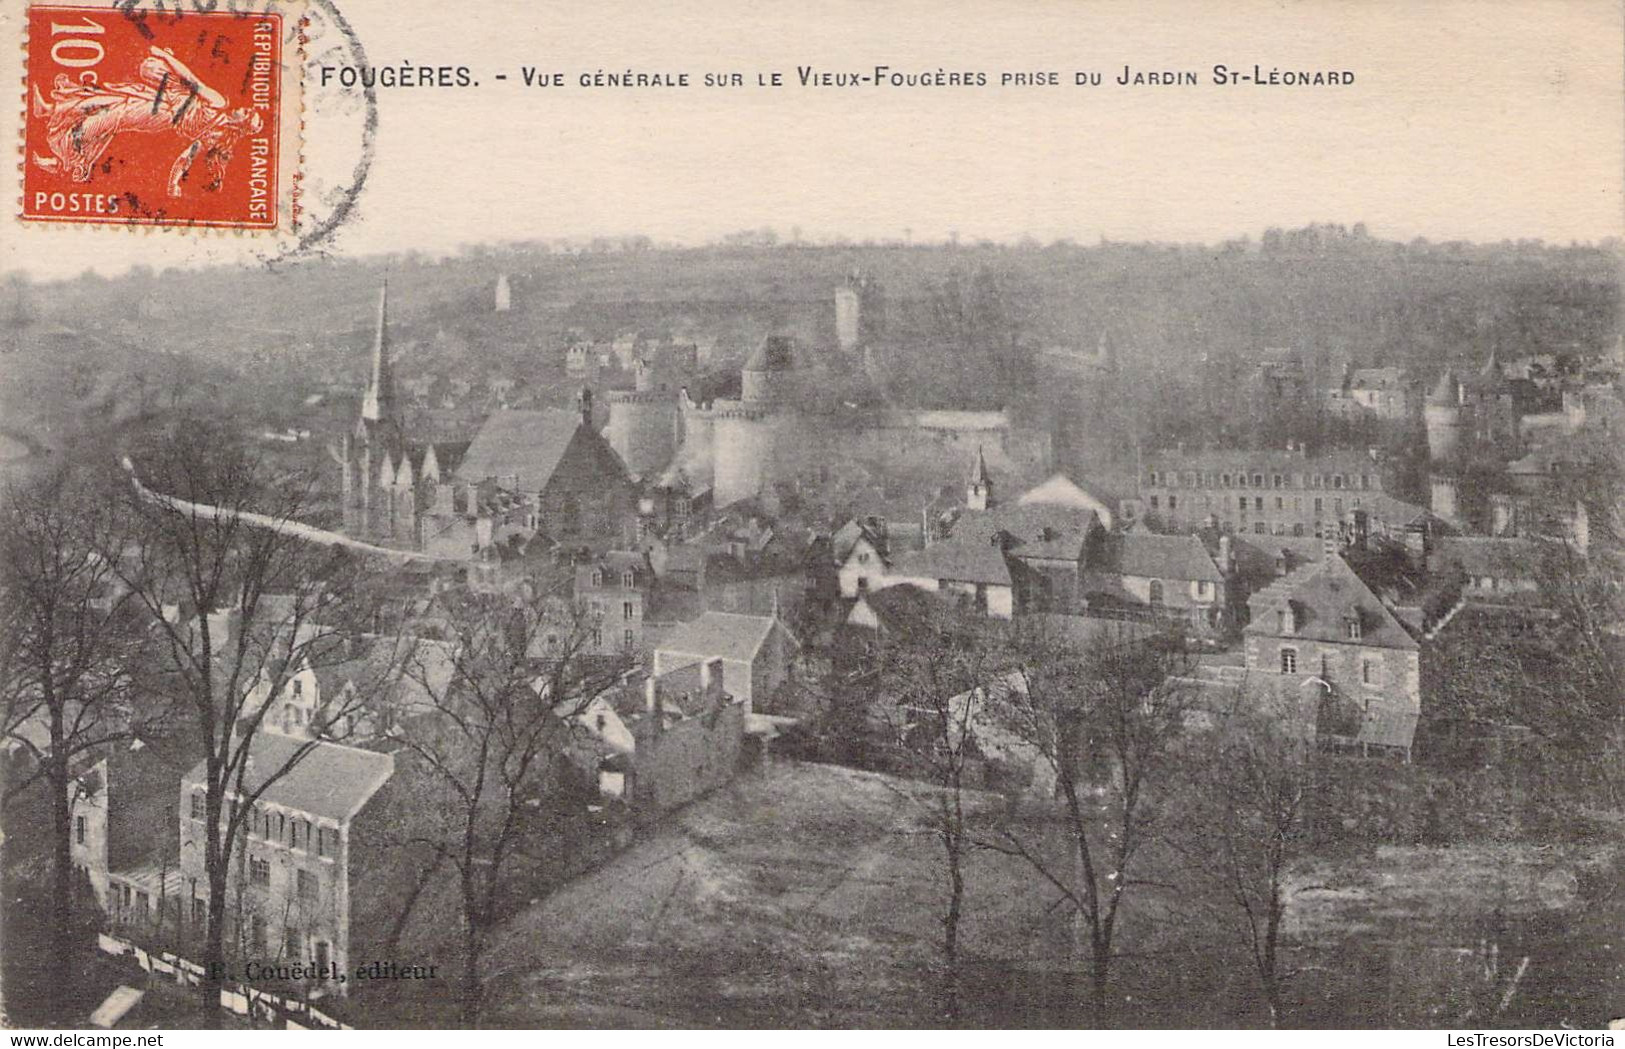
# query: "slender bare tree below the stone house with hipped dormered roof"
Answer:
x=1246 y=826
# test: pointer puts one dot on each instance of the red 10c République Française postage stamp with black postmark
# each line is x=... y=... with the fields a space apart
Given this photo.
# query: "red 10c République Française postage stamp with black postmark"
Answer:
x=160 y=118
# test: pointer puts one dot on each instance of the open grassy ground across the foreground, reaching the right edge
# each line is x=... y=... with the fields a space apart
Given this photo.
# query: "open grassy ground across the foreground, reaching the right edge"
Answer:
x=810 y=896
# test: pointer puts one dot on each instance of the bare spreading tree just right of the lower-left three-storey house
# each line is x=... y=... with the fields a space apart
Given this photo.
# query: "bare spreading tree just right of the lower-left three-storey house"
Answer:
x=487 y=751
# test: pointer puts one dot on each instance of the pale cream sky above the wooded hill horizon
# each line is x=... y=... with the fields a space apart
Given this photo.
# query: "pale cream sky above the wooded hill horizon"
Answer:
x=1467 y=121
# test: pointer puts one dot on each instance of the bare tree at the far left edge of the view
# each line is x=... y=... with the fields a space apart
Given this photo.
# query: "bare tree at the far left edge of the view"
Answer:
x=67 y=642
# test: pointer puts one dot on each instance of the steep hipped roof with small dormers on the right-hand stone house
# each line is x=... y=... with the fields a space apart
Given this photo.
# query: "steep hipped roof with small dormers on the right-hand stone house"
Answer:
x=1322 y=597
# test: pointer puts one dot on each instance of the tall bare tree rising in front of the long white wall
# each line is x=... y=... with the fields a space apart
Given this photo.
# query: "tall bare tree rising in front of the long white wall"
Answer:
x=238 y=602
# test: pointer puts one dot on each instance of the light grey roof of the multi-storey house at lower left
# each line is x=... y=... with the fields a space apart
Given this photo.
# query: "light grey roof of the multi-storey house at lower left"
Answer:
x=329 y=782
